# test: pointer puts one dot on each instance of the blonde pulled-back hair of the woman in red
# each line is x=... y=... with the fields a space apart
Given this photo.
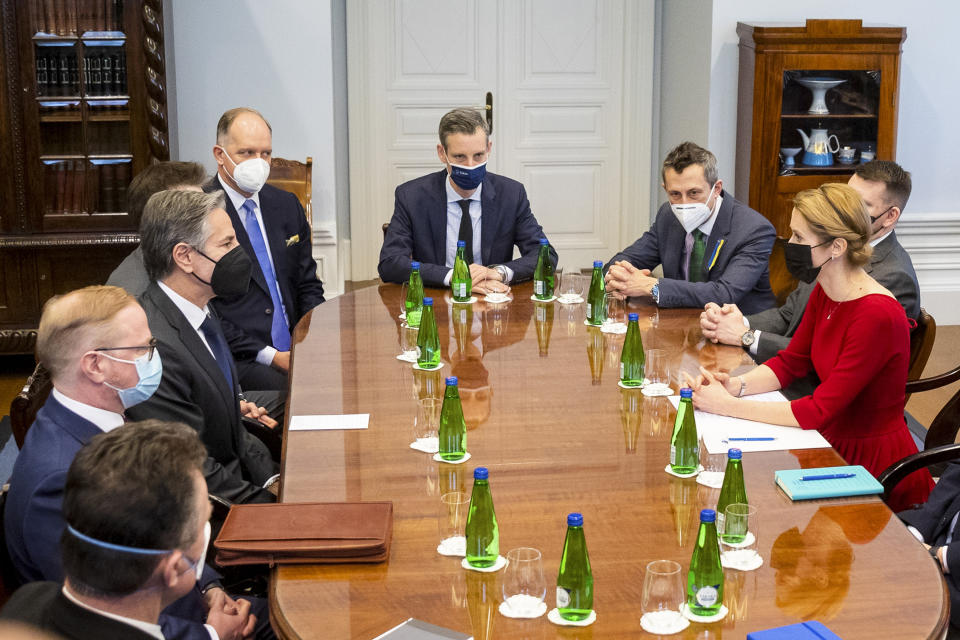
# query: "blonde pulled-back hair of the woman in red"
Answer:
x=836 y=210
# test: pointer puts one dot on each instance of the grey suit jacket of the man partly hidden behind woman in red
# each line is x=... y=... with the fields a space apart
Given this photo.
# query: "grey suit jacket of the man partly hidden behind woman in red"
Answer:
x=890 y=265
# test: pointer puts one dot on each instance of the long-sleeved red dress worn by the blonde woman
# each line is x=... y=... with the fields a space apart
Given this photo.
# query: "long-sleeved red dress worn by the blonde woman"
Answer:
x=860 y=350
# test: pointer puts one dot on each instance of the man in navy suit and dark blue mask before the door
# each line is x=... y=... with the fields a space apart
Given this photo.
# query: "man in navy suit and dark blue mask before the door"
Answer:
x=489 y=212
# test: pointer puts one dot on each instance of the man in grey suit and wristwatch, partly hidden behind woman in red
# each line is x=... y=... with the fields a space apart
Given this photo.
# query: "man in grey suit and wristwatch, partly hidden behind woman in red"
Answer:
x=885 y=188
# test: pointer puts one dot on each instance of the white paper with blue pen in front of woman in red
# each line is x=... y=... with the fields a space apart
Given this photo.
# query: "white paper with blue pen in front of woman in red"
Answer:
x=715 y=430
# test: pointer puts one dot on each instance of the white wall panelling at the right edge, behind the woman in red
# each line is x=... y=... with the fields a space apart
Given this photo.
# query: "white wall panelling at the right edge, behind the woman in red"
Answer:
x=933 y=241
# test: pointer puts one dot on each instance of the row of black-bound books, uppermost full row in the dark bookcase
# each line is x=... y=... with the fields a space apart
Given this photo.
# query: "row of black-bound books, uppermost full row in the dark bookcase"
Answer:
x=103 y=74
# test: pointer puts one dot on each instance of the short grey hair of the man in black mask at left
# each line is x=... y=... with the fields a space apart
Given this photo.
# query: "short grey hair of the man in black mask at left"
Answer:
x=172 y=217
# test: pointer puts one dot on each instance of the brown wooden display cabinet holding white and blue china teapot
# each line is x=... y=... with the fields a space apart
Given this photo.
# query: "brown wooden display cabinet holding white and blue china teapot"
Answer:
x=772 y=105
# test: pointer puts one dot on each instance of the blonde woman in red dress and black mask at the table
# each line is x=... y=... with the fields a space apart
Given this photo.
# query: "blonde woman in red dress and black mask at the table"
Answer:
x=854 y=335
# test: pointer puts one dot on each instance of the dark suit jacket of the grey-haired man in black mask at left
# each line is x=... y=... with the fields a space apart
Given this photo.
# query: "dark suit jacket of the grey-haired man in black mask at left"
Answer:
x=194 y=391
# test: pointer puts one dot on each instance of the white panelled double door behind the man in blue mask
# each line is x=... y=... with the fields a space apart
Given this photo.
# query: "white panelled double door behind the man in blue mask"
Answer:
x=572 y=89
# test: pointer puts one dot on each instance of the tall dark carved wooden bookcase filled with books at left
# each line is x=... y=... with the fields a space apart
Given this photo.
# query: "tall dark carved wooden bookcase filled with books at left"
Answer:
x=82 y=110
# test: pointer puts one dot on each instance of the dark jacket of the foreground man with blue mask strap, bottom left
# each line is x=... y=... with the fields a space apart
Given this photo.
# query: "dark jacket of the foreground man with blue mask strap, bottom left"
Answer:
x=43 y=605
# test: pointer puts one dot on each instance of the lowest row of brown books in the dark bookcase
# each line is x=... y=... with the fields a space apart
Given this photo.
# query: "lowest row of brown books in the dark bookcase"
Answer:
x=74 y=186
